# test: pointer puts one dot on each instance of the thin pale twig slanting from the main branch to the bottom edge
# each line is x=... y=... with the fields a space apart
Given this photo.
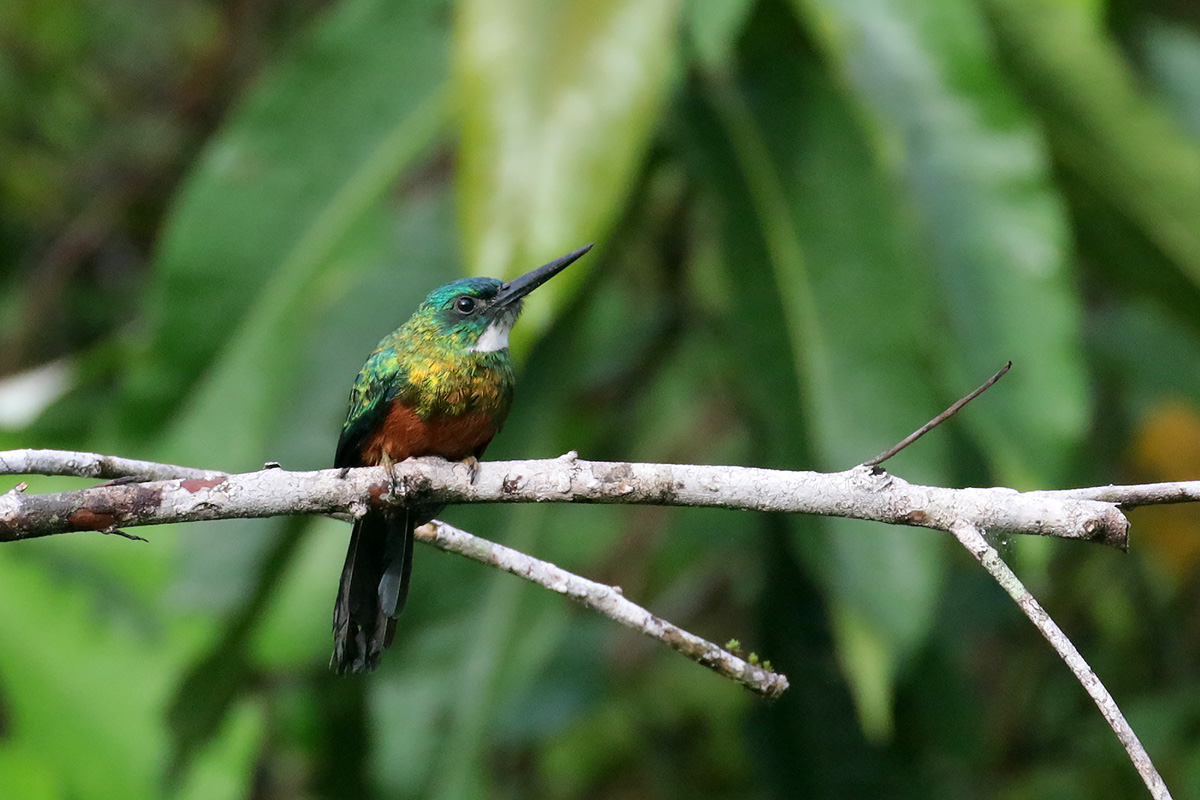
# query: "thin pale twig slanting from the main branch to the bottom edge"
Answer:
x=973 y=539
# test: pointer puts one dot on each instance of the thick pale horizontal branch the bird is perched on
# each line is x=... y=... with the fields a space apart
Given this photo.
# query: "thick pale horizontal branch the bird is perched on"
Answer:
x=860 y=494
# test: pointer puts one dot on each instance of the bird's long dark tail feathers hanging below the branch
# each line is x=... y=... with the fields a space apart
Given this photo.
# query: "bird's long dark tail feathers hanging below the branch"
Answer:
x=374 y=590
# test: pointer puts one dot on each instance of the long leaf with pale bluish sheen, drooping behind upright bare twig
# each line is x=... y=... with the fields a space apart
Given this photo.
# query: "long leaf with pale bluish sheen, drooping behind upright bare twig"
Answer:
x=975 y=170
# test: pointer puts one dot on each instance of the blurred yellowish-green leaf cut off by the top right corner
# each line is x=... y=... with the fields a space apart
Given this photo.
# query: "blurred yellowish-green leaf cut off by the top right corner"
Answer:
x=1138 y=167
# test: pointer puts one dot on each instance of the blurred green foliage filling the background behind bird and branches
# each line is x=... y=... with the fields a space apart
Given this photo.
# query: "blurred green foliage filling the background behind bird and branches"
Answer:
x=819 y=222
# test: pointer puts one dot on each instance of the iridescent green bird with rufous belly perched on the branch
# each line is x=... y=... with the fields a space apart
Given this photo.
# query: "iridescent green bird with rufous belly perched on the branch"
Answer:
x=439 y=386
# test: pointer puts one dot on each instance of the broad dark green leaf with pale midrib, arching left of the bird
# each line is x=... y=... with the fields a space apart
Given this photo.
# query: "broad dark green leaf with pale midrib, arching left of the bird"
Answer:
x=309 y=153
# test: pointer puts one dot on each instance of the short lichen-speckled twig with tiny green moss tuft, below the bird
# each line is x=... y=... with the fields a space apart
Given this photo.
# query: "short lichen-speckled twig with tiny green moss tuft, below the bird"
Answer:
x=608 y=601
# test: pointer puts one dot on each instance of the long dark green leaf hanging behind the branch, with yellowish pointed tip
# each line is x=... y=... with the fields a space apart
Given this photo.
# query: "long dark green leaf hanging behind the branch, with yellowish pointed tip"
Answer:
x=855 y=309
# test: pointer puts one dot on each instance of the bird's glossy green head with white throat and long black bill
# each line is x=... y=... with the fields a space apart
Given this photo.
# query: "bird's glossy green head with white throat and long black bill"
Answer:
x=478 y=314
